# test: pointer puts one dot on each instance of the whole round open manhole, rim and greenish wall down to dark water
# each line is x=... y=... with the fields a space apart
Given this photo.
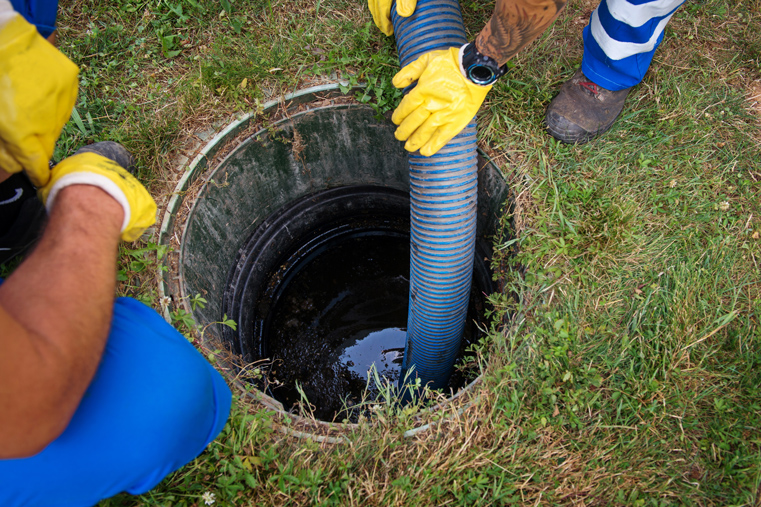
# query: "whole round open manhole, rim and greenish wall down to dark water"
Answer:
x=252 y=177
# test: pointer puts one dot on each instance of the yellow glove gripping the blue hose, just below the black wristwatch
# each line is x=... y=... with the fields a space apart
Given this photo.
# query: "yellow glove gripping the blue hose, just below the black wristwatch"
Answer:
x=442 y=103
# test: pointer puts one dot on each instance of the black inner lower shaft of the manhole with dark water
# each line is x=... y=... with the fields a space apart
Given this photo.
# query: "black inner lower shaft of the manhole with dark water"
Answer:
x=321 y=291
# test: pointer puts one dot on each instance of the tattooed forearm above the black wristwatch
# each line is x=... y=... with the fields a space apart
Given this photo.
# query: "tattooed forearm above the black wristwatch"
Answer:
x=514 y=24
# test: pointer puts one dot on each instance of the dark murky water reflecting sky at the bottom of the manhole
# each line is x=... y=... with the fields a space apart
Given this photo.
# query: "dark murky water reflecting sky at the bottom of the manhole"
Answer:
x=343 y=312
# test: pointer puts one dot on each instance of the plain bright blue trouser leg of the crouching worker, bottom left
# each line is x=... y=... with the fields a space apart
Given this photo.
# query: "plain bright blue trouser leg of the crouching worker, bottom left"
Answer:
x=154 y=404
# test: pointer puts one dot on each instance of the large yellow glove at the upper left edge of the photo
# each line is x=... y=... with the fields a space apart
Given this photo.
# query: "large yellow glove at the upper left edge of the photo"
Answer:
x=38 y=87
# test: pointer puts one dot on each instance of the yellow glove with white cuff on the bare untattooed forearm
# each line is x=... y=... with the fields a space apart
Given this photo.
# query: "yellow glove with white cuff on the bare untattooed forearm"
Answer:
x=97 y=170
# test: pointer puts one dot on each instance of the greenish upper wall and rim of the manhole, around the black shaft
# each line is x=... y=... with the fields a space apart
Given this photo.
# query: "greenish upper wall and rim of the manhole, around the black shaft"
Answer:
x=215 y=176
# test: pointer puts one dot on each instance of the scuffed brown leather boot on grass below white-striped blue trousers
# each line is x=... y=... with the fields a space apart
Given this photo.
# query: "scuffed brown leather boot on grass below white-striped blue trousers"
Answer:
x=583 y=110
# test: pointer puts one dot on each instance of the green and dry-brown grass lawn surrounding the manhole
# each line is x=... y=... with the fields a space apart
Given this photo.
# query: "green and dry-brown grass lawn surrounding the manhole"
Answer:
x=630 y=370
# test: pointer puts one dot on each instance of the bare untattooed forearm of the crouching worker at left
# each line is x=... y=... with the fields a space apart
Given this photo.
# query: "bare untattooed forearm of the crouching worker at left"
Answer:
x=58 y=305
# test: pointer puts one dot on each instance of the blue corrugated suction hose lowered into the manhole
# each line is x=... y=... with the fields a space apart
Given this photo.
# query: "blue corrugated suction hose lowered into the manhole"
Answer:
x=443 y=191
